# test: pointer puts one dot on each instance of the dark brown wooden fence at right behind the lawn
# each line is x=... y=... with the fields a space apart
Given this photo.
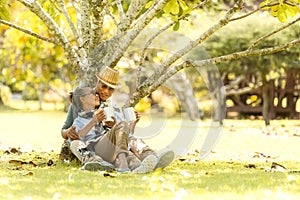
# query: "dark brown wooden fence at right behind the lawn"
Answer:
x=274 y=98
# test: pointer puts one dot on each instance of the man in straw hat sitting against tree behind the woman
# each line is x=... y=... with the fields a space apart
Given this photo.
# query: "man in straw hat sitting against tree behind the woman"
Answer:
x=108 y=79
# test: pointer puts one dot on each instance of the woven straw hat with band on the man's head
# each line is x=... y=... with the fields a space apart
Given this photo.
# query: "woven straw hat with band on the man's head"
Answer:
x=108 y=76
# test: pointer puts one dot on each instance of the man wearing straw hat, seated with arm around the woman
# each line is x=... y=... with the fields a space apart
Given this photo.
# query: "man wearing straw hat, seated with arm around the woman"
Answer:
x=108 y=79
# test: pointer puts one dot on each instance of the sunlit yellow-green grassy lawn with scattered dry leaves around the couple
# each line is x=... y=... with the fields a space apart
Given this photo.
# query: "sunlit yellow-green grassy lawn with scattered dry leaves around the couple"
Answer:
x=238 y=168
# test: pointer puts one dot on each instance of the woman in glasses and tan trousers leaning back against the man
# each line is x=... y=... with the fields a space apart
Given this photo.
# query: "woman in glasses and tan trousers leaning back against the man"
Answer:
x=108 y=144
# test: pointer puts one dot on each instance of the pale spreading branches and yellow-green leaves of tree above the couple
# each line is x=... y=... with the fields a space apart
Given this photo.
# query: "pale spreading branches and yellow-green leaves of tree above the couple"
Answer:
x=79 y=28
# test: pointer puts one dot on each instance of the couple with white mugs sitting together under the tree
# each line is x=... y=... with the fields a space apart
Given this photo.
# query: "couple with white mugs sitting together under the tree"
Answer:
x=107 y=145
